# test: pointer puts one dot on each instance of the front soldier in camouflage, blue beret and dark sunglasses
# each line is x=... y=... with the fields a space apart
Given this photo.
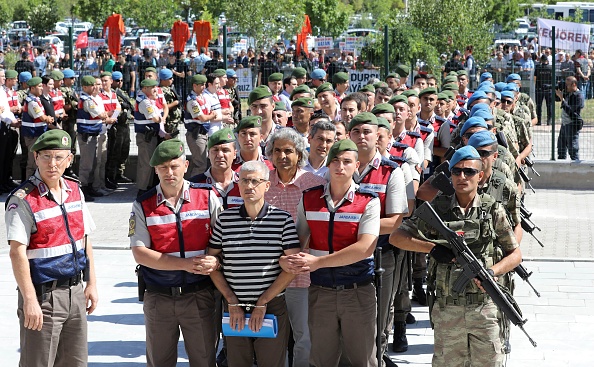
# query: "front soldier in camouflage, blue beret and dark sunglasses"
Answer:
x=463 y=330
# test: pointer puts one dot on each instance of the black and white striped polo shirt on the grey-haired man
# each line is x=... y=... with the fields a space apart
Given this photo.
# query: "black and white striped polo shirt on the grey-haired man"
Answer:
x=252 y=249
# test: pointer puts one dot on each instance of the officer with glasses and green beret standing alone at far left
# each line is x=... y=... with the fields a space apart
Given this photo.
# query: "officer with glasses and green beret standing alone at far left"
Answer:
x=47 y=224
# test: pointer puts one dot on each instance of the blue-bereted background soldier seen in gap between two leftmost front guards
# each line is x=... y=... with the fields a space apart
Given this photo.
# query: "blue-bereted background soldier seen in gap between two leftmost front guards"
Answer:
x=118 y=139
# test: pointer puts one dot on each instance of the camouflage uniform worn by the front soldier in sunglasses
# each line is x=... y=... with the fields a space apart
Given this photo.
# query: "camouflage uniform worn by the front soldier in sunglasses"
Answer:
x=467 y=325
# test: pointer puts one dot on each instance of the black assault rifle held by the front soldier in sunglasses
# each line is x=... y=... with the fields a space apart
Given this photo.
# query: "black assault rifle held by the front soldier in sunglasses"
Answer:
x=472 y=268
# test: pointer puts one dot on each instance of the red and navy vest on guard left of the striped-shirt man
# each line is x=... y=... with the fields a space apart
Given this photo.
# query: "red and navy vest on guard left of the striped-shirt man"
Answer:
x=184 y=234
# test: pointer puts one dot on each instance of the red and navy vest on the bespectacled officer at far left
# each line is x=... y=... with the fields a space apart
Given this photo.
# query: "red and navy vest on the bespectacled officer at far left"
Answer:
x=56 y=248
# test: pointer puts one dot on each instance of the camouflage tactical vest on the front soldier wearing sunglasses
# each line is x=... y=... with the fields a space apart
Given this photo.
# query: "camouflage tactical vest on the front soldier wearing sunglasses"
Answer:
x=479 y=234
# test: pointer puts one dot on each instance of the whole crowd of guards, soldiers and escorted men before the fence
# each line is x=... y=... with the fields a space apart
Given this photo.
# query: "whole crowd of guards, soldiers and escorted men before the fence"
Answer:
x=280 y=211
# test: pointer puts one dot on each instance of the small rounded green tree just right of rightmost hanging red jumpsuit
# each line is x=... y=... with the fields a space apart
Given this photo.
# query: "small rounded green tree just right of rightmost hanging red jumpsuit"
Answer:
x=328 y=17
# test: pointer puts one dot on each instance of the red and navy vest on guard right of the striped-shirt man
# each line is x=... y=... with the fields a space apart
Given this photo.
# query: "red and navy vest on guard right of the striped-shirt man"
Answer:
x=334 y=231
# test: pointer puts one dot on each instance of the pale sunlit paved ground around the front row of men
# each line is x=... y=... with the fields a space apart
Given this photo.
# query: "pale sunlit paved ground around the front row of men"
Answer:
x=561 y=320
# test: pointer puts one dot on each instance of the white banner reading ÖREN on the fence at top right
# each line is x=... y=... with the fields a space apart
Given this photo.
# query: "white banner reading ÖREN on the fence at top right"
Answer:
x=569 y=36
